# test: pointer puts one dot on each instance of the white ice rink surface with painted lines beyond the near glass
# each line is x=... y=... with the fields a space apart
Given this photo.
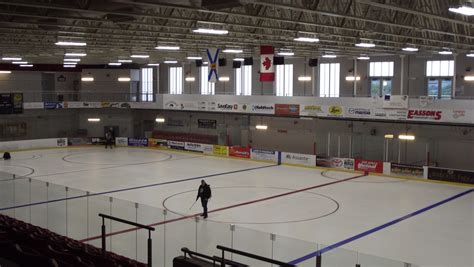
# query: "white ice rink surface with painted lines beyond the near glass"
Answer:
x=442 y=236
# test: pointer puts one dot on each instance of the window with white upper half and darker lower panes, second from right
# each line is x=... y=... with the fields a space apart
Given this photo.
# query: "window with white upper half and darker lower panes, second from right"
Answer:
x=381 y=74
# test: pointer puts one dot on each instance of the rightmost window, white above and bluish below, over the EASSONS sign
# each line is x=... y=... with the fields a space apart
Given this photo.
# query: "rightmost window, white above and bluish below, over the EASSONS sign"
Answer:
x=440 y=78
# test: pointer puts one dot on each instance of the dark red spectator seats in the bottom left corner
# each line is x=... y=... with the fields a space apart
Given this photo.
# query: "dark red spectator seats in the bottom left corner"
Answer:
x=23 y=244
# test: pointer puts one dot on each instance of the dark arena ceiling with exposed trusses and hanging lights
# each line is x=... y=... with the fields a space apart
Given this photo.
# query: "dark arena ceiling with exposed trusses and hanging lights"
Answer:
x=115 y=29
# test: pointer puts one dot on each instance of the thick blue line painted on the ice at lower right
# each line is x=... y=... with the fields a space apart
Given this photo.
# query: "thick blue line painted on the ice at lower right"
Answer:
x=378 y=228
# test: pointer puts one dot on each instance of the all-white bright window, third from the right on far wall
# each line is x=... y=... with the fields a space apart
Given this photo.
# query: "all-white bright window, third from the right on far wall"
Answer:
x=329 y=80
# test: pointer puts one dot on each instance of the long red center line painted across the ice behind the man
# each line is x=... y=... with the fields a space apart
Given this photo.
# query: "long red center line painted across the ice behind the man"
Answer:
x=226 y=208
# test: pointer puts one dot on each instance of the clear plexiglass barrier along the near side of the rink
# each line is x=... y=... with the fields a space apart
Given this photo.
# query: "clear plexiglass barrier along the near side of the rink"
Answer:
x=74 y=213
